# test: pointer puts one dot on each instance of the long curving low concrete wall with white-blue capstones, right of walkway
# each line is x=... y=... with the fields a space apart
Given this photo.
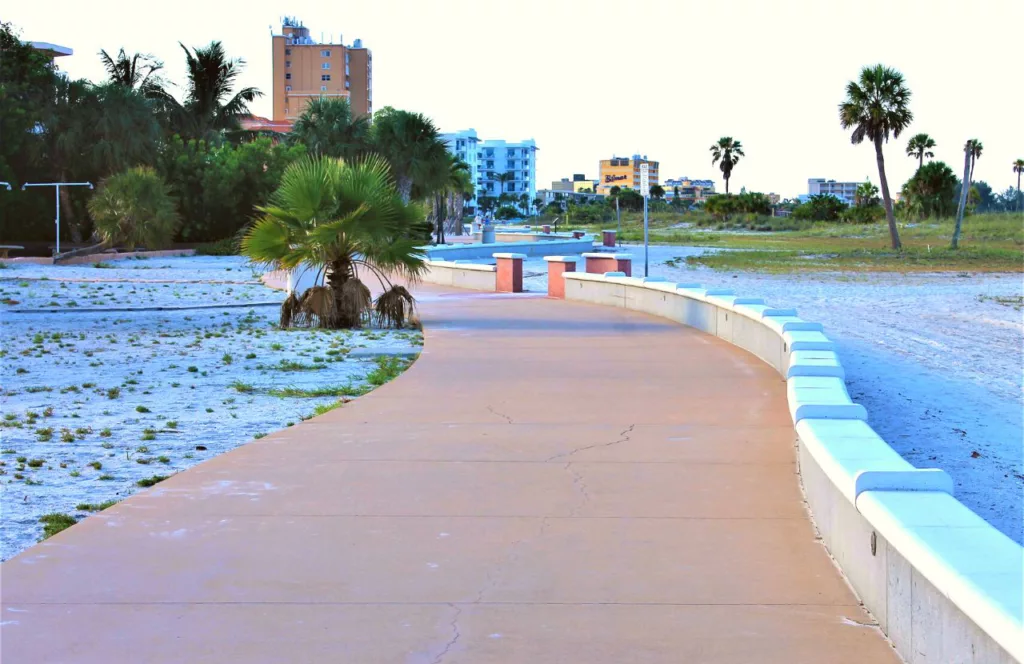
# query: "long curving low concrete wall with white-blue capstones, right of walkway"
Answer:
x=945 y=586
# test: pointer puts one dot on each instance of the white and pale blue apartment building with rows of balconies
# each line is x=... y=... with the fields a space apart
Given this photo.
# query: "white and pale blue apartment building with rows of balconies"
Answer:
x=488 y=159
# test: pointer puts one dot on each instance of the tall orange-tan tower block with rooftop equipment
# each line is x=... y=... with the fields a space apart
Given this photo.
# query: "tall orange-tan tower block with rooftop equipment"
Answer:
x=306 y=69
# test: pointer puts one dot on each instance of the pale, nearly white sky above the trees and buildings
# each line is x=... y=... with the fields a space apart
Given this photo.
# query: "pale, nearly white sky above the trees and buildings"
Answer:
x=591 y=79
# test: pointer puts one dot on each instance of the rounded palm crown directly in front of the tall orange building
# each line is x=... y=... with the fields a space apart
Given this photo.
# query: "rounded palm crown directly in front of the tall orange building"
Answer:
x=328 y=128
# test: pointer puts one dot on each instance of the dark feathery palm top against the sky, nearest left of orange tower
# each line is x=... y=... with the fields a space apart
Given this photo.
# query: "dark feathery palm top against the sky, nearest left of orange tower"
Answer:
x=209 y=107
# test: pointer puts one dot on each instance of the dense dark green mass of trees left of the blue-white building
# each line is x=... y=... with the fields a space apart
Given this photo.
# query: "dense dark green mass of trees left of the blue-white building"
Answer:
x=217 y=175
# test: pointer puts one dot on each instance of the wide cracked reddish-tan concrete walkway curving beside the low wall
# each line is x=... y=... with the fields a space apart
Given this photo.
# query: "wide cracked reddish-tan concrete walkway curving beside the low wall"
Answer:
x=550 y=482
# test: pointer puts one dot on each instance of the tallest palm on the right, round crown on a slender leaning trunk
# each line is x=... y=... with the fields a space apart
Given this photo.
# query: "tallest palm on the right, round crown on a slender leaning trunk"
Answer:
x=876 y=107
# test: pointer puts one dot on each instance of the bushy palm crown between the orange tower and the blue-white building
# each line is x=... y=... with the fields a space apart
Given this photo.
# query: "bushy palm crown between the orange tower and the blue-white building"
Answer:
x=412 y=145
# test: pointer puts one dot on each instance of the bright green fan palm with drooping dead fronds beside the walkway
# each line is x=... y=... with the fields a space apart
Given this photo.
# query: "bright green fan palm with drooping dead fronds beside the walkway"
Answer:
x=339 y=219
